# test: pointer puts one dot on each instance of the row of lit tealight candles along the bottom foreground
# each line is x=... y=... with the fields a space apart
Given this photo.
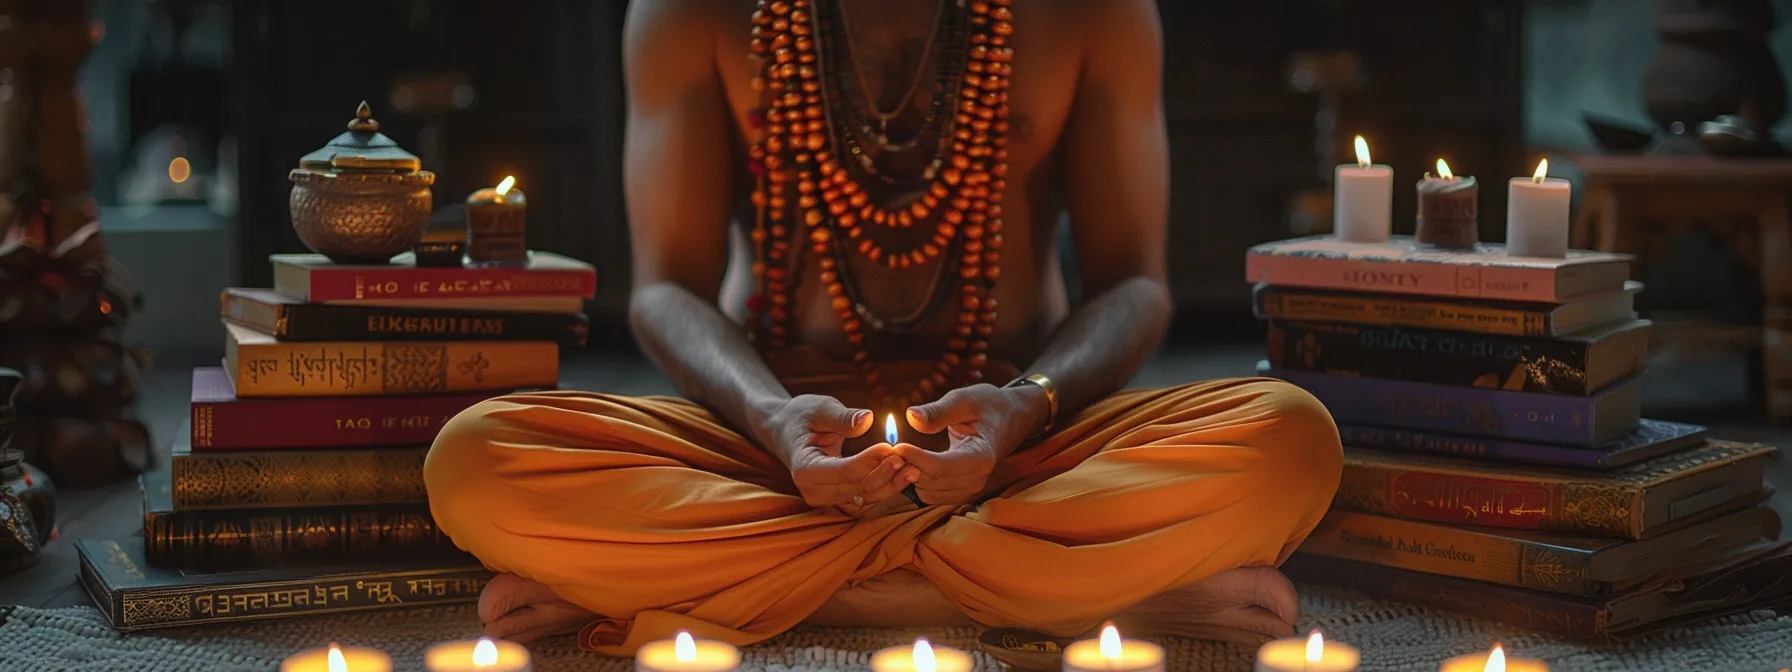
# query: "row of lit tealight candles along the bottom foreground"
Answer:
x=684 y=653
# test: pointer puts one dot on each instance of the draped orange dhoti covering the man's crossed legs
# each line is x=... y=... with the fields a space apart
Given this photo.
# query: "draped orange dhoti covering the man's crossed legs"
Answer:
x=659 y=517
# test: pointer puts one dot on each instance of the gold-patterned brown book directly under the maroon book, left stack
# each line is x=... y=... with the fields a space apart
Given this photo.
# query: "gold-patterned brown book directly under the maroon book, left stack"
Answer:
x=280 y=479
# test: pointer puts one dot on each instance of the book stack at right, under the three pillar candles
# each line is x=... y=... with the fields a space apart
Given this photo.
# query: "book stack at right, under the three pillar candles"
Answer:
x=1495 y=454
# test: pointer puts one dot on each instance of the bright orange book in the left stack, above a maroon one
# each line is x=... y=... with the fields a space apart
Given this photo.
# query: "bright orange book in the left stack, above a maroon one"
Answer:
x=263 y=366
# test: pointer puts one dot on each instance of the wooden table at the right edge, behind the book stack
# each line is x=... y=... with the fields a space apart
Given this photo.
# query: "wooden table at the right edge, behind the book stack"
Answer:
x=1639 y=203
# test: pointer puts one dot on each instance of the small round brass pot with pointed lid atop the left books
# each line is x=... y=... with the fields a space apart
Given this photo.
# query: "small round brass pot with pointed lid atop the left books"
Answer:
x=361 y=198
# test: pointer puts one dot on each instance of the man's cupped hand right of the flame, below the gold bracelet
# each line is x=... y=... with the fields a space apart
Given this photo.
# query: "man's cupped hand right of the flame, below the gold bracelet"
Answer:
x=985 y=424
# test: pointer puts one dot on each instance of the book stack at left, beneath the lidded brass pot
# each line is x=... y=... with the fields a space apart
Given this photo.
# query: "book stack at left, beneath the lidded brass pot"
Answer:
x=297 y=487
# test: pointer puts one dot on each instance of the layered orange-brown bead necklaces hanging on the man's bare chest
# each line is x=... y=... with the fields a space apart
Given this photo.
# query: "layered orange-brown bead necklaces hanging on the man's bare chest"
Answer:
x=832 y=211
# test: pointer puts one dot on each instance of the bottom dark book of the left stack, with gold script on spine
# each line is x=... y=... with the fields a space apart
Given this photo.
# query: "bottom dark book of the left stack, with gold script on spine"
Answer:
x=137 y=596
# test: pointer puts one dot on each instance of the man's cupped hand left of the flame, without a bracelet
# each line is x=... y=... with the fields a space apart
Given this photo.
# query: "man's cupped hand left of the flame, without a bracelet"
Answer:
x=809 y=435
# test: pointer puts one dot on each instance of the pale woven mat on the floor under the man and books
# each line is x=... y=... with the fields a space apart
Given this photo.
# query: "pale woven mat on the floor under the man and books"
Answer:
x=1391 y=637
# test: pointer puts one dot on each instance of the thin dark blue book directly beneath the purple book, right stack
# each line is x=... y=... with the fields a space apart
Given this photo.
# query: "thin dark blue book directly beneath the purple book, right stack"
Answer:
x=1653 y=438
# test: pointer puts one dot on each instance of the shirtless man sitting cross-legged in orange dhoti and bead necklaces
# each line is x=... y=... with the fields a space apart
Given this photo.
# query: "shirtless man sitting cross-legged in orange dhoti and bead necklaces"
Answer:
x=847 y=211
